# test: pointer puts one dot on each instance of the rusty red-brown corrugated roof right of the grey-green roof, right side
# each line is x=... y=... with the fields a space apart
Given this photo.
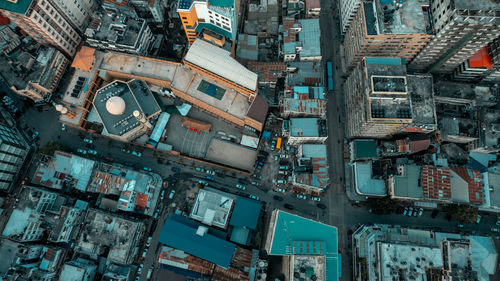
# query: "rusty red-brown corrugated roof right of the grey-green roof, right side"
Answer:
x=436 y=182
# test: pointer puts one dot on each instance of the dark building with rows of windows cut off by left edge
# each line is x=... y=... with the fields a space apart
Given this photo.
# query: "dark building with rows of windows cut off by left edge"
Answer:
x=14 y=150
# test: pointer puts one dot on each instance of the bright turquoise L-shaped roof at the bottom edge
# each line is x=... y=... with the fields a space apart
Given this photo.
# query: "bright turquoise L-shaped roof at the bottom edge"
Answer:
x=293 y=234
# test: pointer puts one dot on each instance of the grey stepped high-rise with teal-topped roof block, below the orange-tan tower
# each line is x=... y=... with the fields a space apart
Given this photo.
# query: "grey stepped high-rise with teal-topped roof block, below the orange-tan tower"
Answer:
x=383 y=100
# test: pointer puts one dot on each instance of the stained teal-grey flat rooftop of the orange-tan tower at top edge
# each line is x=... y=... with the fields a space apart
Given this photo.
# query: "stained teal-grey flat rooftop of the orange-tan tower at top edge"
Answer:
x=387 y=18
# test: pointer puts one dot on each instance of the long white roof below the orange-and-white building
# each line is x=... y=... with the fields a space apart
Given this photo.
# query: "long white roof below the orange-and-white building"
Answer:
x=220 y=62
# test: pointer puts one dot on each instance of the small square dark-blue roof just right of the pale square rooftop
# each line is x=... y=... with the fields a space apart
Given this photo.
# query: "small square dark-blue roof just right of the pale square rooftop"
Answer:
x=246 y=213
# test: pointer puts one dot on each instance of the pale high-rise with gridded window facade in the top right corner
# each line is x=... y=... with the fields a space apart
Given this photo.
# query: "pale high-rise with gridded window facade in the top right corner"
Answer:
x=461 y=28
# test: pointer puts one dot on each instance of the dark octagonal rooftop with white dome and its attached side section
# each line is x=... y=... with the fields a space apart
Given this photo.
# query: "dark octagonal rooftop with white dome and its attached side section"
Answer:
x=116 y=103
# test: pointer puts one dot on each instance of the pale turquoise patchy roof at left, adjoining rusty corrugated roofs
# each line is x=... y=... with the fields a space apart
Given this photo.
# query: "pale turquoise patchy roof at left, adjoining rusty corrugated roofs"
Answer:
x=64 y=168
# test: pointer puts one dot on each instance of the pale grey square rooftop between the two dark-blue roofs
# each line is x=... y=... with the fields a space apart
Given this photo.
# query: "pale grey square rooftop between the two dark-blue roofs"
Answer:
x=212 y=208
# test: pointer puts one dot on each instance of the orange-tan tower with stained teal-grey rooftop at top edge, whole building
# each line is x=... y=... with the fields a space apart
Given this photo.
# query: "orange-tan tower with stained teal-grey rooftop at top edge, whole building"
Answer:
x=382 y=29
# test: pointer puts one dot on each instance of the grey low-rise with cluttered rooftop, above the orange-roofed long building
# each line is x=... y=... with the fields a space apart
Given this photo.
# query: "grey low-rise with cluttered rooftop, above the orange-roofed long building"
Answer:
x=114 y=31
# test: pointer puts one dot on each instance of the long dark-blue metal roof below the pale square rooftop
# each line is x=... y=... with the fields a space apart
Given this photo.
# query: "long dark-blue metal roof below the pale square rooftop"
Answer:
x=180 y=233
